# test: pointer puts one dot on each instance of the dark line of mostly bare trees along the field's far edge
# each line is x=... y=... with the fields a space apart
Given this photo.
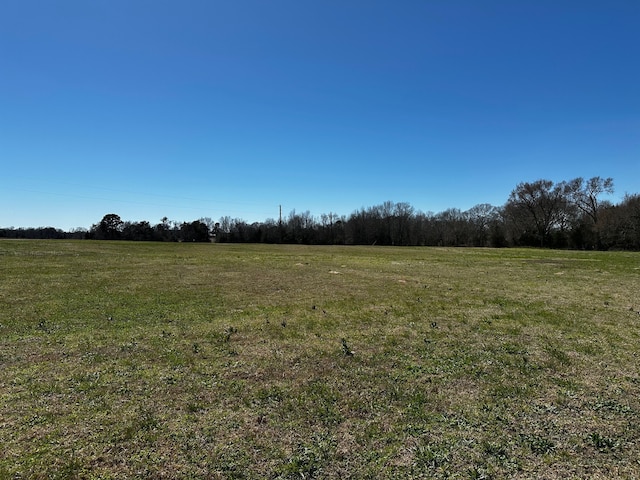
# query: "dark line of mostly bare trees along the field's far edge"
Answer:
x=567 y=214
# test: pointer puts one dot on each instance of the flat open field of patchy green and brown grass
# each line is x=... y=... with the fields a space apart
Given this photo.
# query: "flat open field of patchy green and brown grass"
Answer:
x=123 y=360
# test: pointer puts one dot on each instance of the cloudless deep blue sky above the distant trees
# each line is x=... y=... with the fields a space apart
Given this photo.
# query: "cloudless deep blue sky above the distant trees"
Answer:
x=206 y=108
